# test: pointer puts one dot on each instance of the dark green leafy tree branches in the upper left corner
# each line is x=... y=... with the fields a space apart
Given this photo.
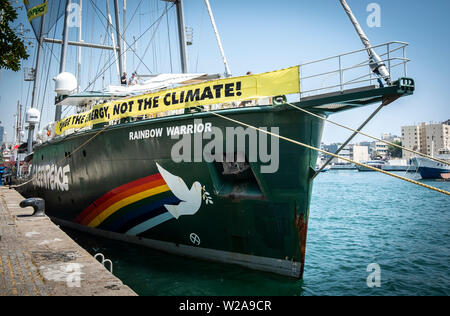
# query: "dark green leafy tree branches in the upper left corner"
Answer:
x=12 y=48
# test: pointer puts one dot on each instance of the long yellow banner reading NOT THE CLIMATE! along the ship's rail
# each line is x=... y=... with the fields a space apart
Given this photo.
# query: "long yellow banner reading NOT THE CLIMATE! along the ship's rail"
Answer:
x=268 y=84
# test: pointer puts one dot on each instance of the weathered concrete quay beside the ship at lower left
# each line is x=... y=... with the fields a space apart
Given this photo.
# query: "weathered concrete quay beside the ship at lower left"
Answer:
x=38 y=259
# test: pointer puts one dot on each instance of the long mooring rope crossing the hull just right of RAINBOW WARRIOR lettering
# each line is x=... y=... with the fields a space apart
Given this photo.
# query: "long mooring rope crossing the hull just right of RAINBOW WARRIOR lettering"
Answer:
x=330 y=154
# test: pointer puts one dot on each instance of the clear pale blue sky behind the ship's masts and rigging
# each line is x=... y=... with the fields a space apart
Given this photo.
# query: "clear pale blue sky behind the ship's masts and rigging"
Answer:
x=258 y=36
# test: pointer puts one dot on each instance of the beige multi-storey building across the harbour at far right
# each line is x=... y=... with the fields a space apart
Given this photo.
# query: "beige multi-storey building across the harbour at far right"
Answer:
x=425 y=138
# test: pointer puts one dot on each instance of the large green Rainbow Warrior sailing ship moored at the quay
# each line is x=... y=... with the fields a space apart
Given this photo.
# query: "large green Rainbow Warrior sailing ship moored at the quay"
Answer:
x=196 y=164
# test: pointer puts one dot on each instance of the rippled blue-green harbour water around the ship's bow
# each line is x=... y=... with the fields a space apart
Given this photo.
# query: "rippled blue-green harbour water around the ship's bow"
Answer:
x=368 y=234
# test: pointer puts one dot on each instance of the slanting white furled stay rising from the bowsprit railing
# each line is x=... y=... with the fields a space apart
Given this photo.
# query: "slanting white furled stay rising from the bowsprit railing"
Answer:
x=376 y=64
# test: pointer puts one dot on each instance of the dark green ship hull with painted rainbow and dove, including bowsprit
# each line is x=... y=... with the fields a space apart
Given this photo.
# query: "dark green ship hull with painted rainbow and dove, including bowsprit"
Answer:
x=123 y=182
